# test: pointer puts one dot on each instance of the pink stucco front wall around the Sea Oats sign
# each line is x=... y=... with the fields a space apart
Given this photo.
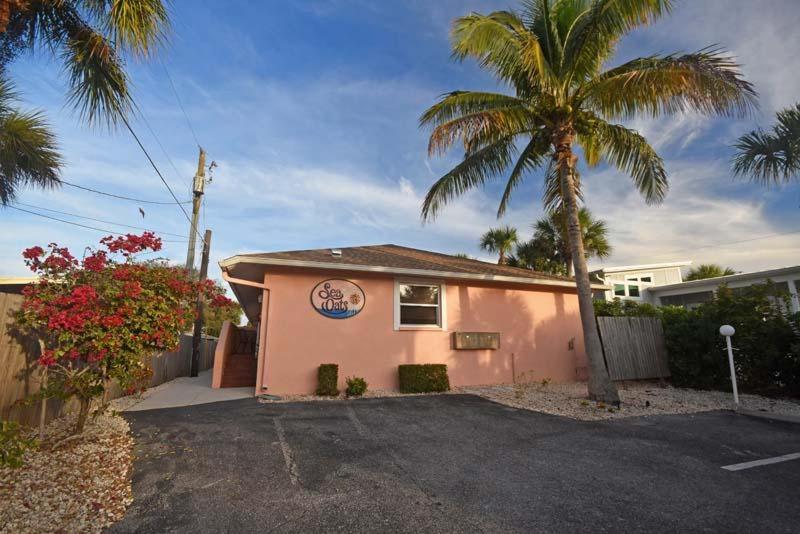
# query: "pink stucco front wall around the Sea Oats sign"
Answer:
x=535 y=325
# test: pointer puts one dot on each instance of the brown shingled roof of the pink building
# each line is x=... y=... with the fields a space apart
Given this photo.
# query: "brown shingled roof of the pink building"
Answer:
x=393 y=257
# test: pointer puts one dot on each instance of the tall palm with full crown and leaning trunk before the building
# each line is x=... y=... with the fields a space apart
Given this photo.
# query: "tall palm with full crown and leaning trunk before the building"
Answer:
x=552 y=55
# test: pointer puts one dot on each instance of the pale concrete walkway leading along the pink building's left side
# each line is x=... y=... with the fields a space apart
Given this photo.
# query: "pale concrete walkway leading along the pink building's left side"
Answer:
x=183 y=391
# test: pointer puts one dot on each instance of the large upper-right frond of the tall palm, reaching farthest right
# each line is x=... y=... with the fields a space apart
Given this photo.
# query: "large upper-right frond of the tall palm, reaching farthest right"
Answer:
x=708 y=82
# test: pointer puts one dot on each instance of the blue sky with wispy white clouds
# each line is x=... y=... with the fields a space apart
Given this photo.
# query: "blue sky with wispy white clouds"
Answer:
x=310 y=111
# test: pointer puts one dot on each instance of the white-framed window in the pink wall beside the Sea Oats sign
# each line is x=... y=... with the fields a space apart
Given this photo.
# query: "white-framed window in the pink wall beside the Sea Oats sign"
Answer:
x=419 y=305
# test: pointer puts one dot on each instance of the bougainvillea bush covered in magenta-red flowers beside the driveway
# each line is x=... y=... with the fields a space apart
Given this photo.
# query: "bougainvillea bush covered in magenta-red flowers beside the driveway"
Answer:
x=101 y=318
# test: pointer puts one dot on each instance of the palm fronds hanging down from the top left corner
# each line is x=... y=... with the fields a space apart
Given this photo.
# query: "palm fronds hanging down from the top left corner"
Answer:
x=89 y=37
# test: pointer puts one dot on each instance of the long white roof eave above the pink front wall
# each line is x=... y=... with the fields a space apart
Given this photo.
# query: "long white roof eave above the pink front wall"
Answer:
x=233 y=260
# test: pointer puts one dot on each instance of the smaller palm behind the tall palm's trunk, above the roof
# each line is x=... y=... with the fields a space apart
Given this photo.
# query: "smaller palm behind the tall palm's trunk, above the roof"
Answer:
x=553 y=229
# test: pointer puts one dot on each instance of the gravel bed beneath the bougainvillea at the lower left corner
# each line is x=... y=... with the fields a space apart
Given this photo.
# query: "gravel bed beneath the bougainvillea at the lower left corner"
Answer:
x=81 y=486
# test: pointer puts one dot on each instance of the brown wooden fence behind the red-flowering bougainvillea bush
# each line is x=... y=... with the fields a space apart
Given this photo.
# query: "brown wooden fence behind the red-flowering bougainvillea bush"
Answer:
x=19 y=373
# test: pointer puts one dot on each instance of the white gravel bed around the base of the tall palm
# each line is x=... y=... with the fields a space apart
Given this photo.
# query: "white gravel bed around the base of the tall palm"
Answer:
x=638 y=399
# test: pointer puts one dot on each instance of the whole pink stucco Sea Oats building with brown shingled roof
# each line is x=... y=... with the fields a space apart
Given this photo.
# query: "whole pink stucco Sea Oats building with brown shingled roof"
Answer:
x=372 y=308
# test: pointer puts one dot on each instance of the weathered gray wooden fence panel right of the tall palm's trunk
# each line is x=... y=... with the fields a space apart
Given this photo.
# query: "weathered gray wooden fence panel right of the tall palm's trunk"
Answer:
x=634 y=347
